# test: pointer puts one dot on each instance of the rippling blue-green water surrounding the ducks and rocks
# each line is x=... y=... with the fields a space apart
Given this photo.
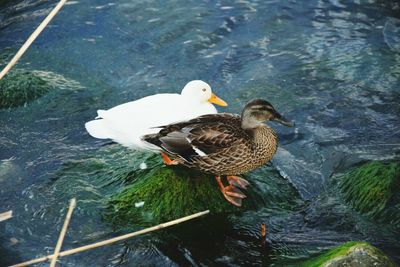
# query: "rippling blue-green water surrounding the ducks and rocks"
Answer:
x=331 y=66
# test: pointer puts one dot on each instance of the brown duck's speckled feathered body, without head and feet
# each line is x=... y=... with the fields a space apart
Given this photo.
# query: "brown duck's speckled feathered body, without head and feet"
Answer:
x=217 y=144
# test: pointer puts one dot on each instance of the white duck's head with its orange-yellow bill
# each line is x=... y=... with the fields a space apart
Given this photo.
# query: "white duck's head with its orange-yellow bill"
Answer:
x=200 y=91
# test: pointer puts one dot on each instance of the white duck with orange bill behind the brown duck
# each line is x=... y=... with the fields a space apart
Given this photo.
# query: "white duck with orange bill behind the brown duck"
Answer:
x=126 y=123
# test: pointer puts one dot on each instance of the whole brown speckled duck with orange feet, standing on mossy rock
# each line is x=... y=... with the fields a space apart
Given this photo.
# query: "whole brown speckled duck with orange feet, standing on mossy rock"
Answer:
x=223 y=144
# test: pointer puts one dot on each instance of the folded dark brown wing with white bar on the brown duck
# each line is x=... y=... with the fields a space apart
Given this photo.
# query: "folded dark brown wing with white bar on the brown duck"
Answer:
x=201 y=136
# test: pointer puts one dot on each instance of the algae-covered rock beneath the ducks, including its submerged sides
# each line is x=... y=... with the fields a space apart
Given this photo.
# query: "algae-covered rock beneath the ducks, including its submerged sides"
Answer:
x=114 y=179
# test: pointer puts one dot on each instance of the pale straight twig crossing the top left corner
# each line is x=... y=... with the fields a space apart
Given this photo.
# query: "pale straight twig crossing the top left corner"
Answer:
x=32 y=38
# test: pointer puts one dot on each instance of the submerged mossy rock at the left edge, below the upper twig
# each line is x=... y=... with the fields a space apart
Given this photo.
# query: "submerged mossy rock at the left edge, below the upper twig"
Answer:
x=20 y=87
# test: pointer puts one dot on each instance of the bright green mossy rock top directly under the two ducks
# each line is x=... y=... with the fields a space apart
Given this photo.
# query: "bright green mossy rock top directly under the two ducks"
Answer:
x=168 y=193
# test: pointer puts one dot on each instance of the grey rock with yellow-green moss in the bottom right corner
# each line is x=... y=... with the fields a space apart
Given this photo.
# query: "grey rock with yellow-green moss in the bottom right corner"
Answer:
x=352 y=254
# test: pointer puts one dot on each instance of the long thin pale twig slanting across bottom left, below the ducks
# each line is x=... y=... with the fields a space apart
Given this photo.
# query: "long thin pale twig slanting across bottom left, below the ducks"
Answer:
x=113 y=240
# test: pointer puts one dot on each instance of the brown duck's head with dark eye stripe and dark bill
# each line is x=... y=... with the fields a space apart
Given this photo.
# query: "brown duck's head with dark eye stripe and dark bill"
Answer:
x=258 y=111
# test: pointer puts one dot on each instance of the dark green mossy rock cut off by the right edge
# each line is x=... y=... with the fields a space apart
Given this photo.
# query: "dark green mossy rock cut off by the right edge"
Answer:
x=373 y=189
